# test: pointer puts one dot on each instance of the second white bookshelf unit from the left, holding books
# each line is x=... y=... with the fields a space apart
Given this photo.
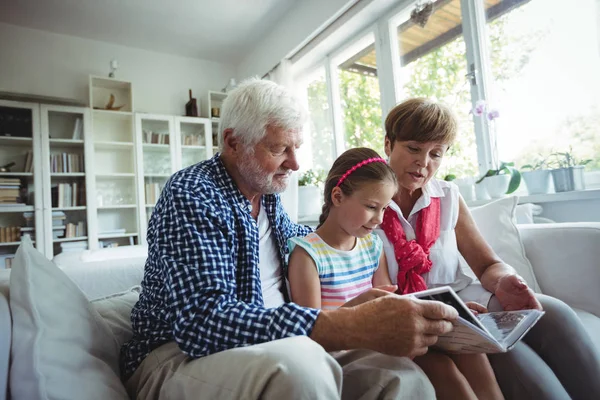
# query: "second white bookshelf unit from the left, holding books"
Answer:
x=64 y=132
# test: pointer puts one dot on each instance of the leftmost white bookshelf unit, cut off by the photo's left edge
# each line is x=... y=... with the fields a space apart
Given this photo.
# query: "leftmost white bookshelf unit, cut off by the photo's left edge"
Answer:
x=20 y=136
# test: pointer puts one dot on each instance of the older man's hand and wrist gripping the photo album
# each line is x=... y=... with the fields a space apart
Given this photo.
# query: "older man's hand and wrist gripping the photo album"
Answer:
x=389 y=324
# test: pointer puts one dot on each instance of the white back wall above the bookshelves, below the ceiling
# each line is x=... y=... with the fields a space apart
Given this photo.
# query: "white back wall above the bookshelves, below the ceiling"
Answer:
x=42 y=63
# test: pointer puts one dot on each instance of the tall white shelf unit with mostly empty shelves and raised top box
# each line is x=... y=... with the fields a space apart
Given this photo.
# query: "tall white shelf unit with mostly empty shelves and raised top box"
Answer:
x=111 y=152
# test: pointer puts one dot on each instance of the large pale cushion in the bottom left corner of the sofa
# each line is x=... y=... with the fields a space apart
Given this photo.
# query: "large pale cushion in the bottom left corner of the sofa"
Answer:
x=62 y=348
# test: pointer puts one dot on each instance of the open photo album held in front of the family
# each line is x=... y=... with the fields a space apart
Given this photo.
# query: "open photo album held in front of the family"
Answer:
x=493 y=332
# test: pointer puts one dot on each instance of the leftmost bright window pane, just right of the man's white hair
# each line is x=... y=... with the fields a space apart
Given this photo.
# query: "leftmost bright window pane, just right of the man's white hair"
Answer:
x=318 y=150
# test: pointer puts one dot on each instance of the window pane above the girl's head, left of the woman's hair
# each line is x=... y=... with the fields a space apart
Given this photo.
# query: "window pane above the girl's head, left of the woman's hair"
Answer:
x=360 y=99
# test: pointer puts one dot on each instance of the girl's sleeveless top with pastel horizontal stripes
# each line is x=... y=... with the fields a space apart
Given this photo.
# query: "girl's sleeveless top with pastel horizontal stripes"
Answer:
x=343 y=274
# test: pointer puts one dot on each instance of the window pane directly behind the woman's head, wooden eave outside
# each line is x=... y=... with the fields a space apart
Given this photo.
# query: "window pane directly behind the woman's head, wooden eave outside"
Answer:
x=433 y=65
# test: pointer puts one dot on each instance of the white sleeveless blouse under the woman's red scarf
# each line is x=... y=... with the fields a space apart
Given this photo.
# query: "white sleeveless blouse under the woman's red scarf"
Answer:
x=449 y=268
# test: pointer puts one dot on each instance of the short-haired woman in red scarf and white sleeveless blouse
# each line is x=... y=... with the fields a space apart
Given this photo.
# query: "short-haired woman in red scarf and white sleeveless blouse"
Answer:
x=427 y=227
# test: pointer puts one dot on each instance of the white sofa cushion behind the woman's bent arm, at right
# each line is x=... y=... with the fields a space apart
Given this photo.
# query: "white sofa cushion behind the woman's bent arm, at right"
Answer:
x=496 y=222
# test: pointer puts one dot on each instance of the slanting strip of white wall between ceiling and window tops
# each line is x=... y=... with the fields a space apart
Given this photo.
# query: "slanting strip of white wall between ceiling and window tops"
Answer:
x=300 y=22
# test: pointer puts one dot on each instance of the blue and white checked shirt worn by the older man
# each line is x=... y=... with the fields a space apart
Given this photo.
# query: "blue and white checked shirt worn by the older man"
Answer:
x=201 y=283
